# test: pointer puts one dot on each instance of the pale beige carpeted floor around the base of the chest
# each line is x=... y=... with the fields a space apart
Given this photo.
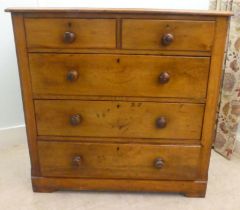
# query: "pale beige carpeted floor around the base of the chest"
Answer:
x=15 y=190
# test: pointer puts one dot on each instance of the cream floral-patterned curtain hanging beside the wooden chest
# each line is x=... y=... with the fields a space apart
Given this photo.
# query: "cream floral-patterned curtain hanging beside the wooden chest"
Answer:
x=228 y=122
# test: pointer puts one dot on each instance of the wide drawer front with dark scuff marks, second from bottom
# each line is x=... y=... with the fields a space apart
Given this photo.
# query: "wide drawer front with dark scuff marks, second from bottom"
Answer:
x=118 y=119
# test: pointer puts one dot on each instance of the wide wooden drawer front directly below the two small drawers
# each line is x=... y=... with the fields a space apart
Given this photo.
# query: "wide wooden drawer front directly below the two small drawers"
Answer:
x=119 y=75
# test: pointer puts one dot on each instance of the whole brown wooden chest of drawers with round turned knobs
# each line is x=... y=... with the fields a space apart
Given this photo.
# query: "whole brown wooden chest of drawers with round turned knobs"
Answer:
x=120 y=99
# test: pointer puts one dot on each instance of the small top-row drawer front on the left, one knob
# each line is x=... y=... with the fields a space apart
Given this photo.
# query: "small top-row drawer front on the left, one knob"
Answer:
x=70 y=33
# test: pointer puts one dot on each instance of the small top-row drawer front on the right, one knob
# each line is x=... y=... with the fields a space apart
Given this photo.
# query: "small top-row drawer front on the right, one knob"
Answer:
x=167 y=34
